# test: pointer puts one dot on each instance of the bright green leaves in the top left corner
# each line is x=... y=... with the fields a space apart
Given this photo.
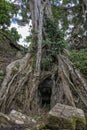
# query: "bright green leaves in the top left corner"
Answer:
x=6 y=13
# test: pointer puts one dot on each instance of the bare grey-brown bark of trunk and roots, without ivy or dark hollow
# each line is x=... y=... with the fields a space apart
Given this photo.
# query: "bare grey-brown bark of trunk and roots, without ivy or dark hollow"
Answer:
x=20 y=87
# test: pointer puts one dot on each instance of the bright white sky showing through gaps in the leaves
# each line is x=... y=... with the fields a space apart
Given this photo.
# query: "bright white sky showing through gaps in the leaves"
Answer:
x=24 y=30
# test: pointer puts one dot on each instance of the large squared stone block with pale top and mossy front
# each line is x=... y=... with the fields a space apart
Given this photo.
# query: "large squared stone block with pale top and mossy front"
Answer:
x=64 y=117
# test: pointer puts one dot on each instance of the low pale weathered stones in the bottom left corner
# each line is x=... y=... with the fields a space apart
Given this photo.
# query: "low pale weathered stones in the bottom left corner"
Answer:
x=16 y=120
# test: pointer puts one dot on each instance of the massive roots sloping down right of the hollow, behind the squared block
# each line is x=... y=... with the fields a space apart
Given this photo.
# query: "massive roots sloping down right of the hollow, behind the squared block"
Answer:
x=73 y=84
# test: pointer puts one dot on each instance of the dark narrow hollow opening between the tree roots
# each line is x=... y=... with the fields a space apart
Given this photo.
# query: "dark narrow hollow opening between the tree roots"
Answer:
x=45 y=91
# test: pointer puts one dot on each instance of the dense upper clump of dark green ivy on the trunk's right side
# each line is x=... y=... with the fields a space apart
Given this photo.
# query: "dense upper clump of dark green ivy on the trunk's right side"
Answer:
x=55 y=38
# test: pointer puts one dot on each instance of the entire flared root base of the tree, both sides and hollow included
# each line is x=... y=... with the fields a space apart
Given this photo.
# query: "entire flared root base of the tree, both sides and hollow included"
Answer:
x=22 y=89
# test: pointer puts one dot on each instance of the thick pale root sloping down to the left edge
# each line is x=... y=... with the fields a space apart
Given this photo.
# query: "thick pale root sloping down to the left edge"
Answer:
x=17 y=74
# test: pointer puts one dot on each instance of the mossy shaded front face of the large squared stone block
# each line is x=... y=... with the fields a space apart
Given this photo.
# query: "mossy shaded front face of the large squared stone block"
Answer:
x=66 y=123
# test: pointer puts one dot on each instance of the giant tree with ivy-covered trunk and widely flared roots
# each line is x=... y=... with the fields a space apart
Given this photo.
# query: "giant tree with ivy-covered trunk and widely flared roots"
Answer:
x=45 y=75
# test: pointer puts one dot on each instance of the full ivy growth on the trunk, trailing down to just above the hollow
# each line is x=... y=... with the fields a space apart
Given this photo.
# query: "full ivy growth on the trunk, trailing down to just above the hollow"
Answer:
x=54 y=43
